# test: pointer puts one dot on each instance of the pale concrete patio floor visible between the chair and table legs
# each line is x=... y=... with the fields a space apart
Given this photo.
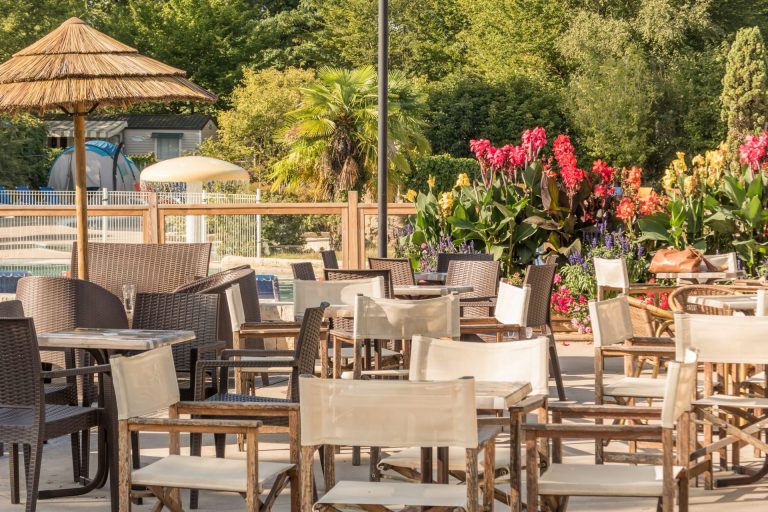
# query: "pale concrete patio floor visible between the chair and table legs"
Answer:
x=576 y=360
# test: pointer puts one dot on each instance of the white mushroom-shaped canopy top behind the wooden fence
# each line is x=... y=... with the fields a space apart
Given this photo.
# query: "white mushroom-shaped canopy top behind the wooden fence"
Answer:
x=190 y=169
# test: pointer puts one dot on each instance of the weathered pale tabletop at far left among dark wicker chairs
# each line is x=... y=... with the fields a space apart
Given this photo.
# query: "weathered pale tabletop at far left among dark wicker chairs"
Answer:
x=112 y=339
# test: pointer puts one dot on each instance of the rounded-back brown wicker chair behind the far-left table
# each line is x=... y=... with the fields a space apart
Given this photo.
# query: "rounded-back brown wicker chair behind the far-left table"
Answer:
x=57 y=304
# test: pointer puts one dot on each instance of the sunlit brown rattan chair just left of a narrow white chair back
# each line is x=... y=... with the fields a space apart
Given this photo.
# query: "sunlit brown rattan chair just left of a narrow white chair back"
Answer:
x=483 y=277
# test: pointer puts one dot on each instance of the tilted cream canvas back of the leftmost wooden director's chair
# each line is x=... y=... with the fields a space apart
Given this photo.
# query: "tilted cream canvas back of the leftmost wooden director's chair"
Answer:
x=145 y=383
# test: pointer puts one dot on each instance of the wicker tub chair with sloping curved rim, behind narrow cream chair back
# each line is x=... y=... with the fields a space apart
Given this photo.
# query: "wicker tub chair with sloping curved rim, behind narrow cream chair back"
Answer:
x=217 y=284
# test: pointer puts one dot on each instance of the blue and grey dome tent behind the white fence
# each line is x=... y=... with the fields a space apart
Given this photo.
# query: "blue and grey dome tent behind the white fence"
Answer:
x=106 y=167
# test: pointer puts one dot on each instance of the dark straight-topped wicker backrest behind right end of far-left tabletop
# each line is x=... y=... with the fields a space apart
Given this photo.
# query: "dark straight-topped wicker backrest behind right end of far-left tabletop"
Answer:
x=179 y=311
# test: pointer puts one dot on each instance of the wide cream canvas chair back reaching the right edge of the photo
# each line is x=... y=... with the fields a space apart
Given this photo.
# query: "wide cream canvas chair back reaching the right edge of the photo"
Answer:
x=722 y=339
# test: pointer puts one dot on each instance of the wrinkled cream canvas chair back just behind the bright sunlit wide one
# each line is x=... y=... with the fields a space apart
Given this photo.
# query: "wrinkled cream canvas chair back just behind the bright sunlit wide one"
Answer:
x=399 y=319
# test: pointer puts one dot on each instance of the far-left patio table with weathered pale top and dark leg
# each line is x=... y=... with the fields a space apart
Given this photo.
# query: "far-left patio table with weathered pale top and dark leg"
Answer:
x=100 y=343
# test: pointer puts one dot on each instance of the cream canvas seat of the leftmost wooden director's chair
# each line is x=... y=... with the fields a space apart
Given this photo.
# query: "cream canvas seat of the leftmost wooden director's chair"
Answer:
x=205 y=473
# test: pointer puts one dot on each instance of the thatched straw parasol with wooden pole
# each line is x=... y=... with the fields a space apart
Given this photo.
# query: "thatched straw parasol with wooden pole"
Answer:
x=77 y=69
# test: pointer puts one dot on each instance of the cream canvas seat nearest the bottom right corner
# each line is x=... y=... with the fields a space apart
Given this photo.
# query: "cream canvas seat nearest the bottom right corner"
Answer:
x=604 y=480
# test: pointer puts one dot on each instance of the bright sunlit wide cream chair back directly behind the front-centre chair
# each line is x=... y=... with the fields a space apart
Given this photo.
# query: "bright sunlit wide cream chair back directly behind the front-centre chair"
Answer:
x=518 y=361
